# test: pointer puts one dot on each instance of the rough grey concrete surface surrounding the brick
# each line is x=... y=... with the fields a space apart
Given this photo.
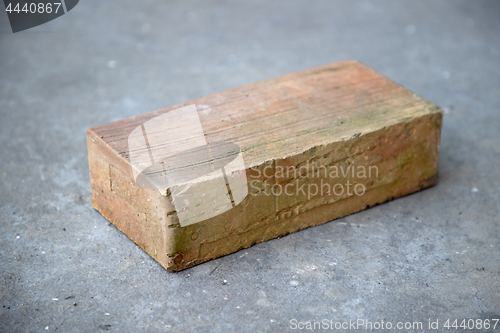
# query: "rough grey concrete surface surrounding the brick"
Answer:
x=433 y=254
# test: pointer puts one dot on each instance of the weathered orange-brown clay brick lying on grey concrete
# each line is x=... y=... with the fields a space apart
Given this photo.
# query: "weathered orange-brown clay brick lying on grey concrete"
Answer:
x=336 y=117
